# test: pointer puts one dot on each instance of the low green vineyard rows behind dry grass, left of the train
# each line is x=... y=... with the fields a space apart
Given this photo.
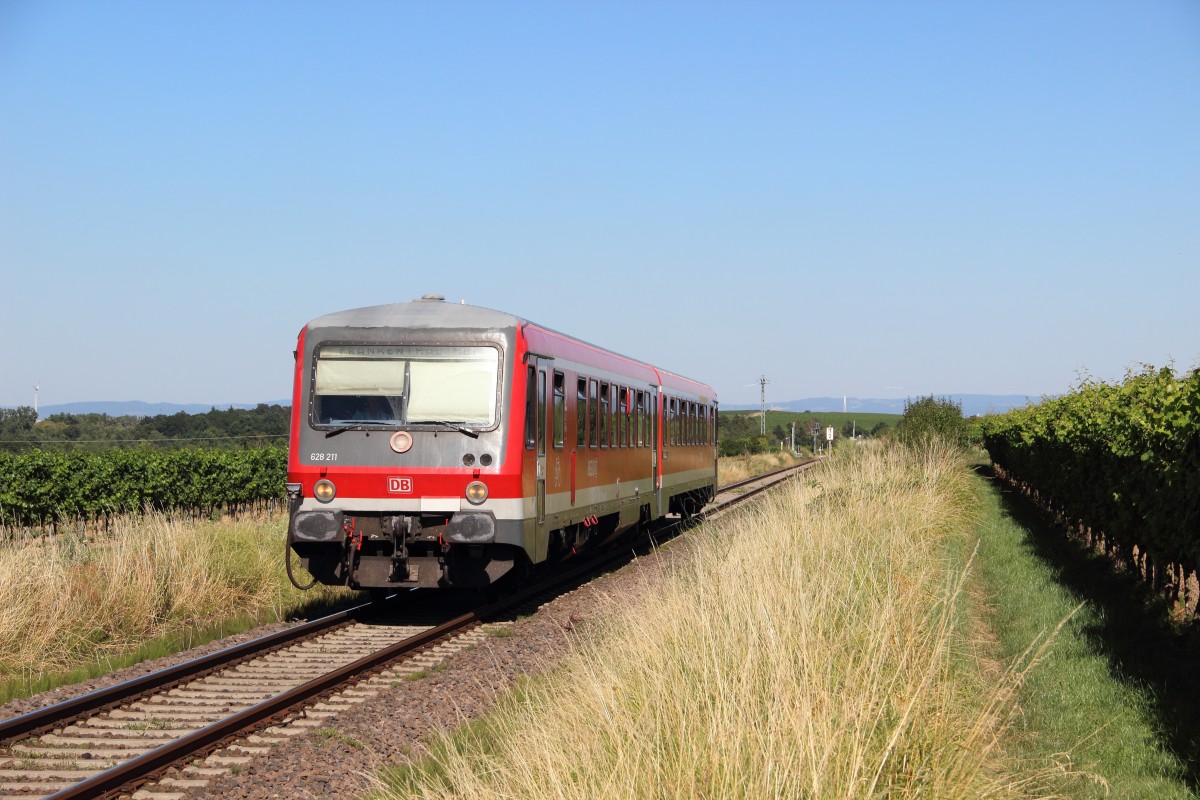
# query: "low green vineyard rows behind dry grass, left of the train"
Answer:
x=44 y=490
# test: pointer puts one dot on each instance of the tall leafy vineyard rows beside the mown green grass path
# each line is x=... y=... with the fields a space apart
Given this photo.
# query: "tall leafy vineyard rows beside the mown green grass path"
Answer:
x=1119 y=462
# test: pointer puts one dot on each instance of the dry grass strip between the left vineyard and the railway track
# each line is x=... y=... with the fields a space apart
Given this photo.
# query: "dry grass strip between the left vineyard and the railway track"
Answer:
x=73 y=610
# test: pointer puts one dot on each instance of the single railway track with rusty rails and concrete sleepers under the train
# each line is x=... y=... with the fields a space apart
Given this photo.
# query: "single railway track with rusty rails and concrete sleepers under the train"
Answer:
x=176 y=729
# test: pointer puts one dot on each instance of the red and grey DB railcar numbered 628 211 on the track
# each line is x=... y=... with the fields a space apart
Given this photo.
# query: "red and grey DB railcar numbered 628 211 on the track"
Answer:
x=442 y=446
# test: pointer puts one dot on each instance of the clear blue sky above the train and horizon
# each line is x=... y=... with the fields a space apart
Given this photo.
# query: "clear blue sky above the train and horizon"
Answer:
x=878 y=200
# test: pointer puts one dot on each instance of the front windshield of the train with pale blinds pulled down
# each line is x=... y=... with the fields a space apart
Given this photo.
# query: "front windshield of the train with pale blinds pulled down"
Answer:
x=400 y=386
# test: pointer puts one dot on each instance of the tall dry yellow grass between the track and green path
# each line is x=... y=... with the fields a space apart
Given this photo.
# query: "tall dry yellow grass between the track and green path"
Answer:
x=815 y=647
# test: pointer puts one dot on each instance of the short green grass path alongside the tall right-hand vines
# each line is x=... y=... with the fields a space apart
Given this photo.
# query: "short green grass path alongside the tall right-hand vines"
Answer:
x=1115 y=701
